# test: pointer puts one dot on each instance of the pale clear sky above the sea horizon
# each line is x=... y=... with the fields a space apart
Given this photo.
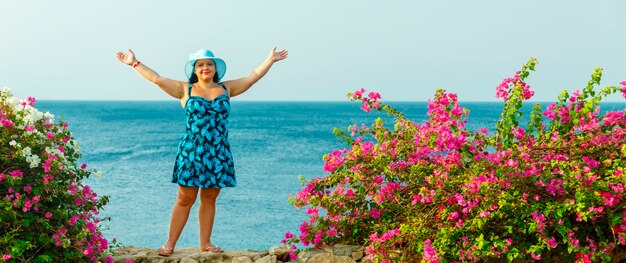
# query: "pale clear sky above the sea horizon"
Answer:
x=406 y=50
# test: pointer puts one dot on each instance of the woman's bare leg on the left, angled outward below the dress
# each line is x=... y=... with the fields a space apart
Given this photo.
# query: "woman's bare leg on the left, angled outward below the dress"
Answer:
x=180 y=213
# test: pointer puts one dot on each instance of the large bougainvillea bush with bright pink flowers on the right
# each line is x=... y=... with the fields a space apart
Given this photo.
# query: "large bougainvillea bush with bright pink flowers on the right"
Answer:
x=552 y=189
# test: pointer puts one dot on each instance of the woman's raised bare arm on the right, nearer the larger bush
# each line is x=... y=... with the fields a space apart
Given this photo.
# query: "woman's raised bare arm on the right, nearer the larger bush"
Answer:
x=238 y=86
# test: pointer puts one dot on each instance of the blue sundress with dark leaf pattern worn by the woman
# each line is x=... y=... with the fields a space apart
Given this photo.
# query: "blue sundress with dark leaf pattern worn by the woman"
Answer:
x=204 y=159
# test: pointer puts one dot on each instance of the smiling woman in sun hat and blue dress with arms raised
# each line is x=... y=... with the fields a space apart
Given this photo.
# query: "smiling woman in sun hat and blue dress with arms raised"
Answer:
x=204 y=162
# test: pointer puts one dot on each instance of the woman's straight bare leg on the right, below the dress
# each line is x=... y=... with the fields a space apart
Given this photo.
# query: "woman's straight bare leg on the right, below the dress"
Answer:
x=206 y=215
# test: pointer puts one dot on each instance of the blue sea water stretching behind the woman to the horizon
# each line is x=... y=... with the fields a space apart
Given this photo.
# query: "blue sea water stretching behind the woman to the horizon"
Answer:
x=134 y=144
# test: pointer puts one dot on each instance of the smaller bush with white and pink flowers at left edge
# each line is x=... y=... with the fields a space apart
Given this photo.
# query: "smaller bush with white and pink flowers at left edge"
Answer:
x=46 y=213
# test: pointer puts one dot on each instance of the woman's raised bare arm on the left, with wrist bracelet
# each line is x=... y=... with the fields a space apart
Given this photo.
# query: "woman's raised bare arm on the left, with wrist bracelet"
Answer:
x=172 y=87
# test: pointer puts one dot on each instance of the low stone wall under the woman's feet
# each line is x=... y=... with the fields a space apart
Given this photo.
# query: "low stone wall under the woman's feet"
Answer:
x=335 y=254
